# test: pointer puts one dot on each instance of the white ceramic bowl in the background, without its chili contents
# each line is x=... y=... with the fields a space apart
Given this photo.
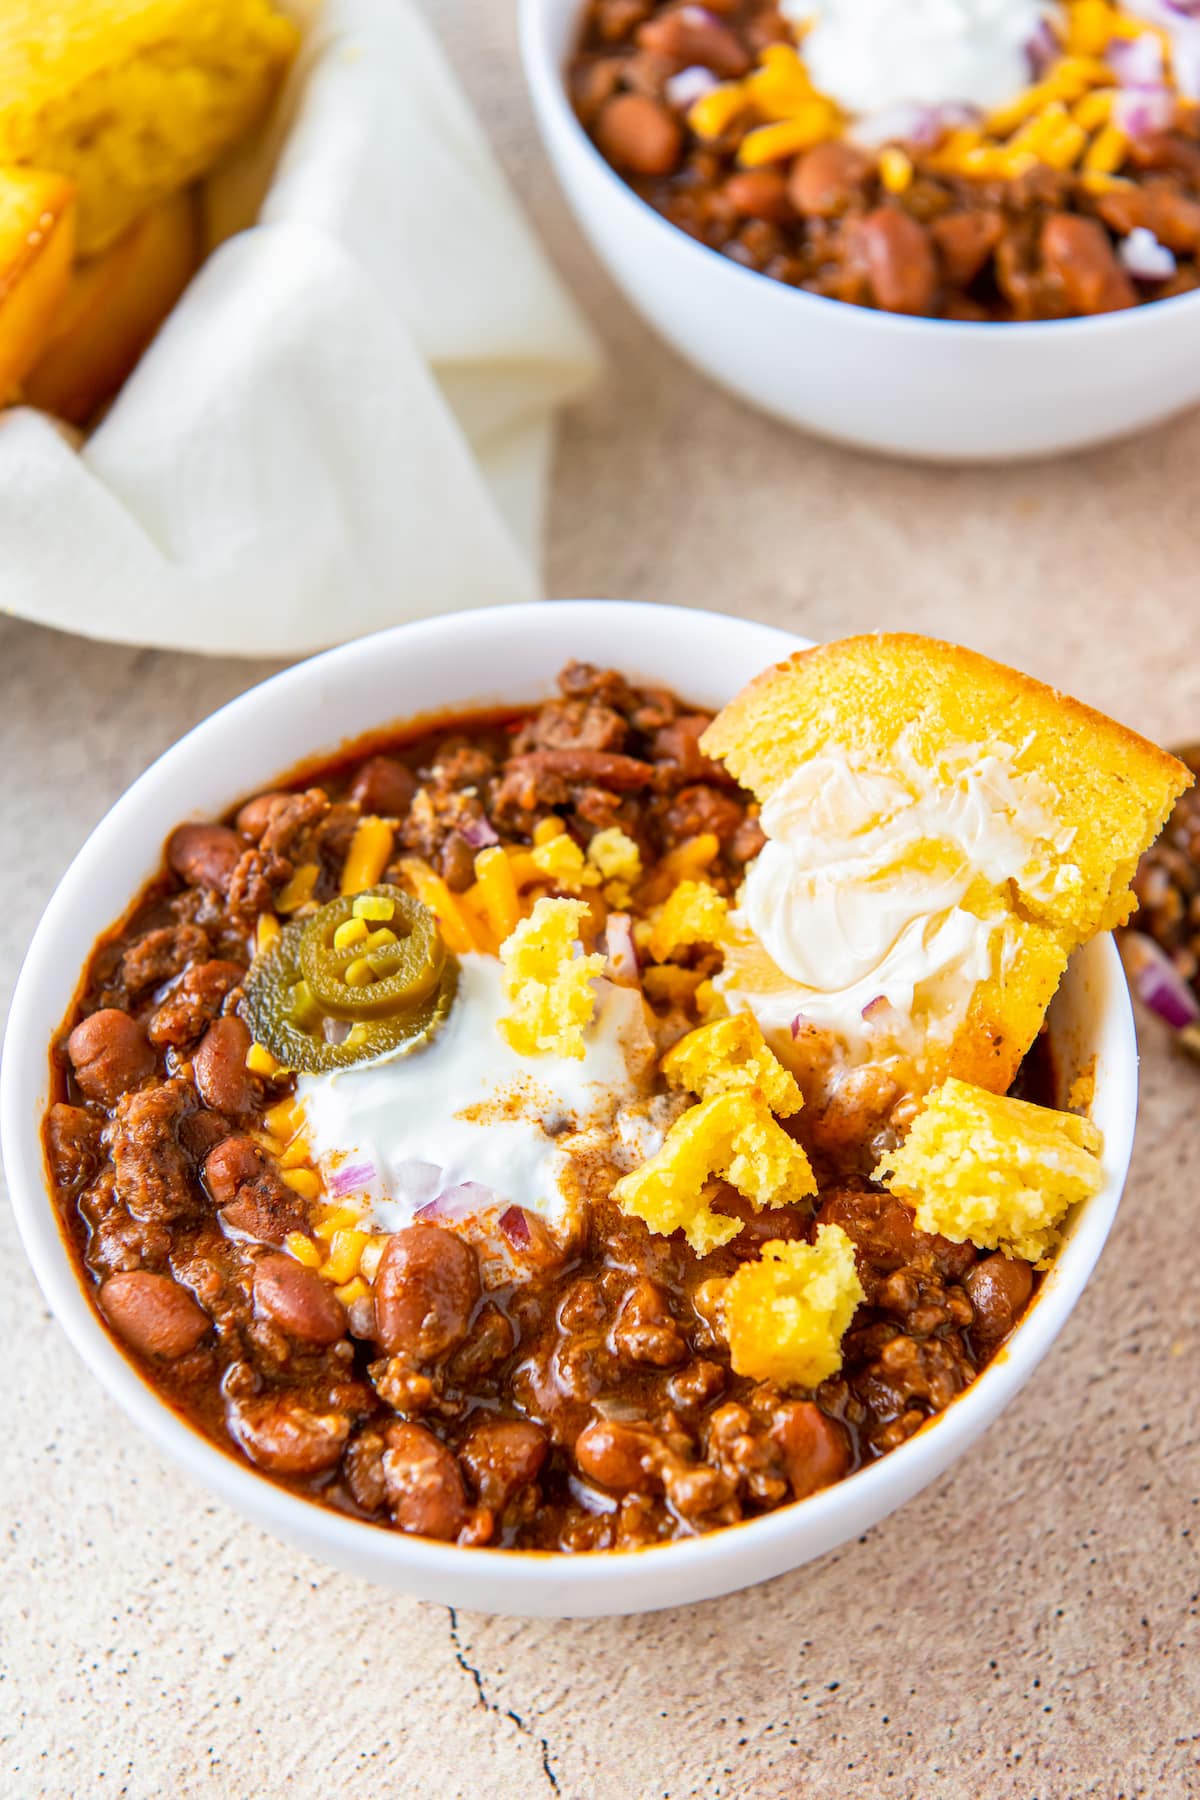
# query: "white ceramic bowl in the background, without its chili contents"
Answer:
x=920 y=388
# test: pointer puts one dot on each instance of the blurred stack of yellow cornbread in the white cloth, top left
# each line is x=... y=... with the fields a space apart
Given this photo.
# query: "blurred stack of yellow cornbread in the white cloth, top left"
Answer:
x=109 y=114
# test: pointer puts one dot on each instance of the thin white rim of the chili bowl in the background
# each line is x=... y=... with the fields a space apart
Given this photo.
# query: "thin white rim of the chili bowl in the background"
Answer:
x=548 y=87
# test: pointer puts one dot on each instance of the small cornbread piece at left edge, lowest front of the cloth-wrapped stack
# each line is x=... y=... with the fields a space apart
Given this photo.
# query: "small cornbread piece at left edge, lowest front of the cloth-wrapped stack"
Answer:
x=37 y=238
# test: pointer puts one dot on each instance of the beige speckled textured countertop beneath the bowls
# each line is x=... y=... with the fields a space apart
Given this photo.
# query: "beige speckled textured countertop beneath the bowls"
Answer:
x=1028 y=1628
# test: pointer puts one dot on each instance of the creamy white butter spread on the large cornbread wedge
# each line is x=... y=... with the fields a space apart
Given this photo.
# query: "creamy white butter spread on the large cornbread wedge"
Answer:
x=857 y=895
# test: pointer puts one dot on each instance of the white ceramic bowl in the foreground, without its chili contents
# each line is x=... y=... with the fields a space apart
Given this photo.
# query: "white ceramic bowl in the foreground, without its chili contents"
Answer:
x=460 y=661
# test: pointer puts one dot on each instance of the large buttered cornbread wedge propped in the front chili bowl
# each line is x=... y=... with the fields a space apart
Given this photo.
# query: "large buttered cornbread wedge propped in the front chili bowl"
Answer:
x=945 y=832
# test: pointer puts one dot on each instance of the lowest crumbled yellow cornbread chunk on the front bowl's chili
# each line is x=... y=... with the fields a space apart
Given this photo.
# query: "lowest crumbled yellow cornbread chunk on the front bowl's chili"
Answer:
x=785 y=1315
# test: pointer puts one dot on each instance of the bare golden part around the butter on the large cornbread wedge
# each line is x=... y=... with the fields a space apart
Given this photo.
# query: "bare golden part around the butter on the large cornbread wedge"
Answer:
x=917 y=714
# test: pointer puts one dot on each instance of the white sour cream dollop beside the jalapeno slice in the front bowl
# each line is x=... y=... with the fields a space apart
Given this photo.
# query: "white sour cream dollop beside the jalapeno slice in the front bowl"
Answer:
x=467 y=1126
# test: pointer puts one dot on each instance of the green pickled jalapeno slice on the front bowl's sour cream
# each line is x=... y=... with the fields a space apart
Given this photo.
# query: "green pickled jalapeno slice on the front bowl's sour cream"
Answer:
x=303 y=1034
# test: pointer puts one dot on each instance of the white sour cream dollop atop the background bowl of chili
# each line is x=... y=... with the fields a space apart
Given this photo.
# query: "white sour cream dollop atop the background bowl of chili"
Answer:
x=872 y=55
